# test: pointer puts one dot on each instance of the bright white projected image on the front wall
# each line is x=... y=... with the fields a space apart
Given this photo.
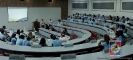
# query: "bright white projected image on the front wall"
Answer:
x=17 y=14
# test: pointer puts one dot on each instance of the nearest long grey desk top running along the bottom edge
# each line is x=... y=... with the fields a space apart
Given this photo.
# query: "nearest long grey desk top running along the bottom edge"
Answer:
x=93 y=56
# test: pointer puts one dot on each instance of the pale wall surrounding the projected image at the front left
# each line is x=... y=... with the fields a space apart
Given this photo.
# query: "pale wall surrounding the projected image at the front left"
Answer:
x=33 y=13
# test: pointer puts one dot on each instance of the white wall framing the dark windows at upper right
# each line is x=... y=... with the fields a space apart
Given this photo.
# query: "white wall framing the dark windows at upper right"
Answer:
x=116 y=13
